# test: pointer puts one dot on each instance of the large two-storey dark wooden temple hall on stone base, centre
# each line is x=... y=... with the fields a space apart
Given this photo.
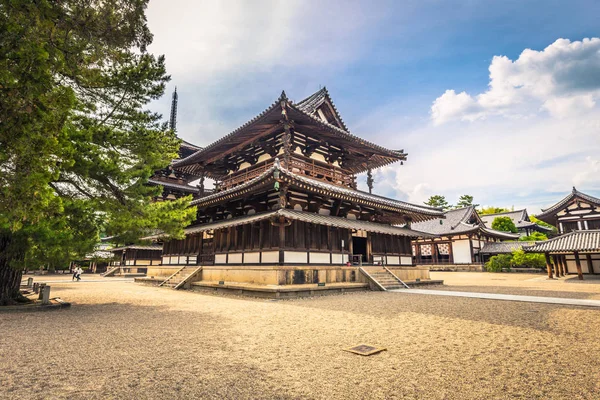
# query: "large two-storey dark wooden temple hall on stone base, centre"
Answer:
x=286 y=210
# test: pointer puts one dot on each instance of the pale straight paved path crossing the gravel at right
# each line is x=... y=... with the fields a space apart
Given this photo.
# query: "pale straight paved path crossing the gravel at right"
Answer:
x=509 y=297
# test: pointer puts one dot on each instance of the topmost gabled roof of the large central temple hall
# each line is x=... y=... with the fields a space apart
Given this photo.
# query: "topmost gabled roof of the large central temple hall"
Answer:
x=310 y=118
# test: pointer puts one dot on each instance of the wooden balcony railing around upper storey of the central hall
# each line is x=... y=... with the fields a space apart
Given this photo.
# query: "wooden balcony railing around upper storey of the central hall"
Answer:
x=331 y=175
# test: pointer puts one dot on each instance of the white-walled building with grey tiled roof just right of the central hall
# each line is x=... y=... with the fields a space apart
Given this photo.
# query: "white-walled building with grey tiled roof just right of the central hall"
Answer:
x=457 y=242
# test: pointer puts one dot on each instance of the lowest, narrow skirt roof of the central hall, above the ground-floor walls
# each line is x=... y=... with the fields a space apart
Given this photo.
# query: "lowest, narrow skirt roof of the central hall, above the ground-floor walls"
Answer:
x=308 y=217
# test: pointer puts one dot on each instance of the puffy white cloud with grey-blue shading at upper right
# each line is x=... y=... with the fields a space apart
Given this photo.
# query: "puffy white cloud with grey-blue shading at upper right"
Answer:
x=563 y=80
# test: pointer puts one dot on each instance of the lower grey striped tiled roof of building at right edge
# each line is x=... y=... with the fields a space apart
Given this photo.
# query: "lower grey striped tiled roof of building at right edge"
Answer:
x=583 y=241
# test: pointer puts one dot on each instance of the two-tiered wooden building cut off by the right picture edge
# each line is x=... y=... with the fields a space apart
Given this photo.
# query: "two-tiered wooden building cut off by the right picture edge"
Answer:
x=577 y=248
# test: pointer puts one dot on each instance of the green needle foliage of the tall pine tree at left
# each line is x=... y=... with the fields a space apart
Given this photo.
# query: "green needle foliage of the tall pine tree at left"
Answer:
x=76 y=142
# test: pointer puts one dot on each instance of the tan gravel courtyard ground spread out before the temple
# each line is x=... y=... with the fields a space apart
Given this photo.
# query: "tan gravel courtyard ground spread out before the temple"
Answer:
x=121 y=340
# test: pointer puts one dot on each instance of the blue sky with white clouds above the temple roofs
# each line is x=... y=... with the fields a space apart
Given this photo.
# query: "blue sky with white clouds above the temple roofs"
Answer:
x=396 y=71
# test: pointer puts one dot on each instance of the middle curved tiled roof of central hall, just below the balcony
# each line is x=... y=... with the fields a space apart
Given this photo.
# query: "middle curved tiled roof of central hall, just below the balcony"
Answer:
x=328 y=188
